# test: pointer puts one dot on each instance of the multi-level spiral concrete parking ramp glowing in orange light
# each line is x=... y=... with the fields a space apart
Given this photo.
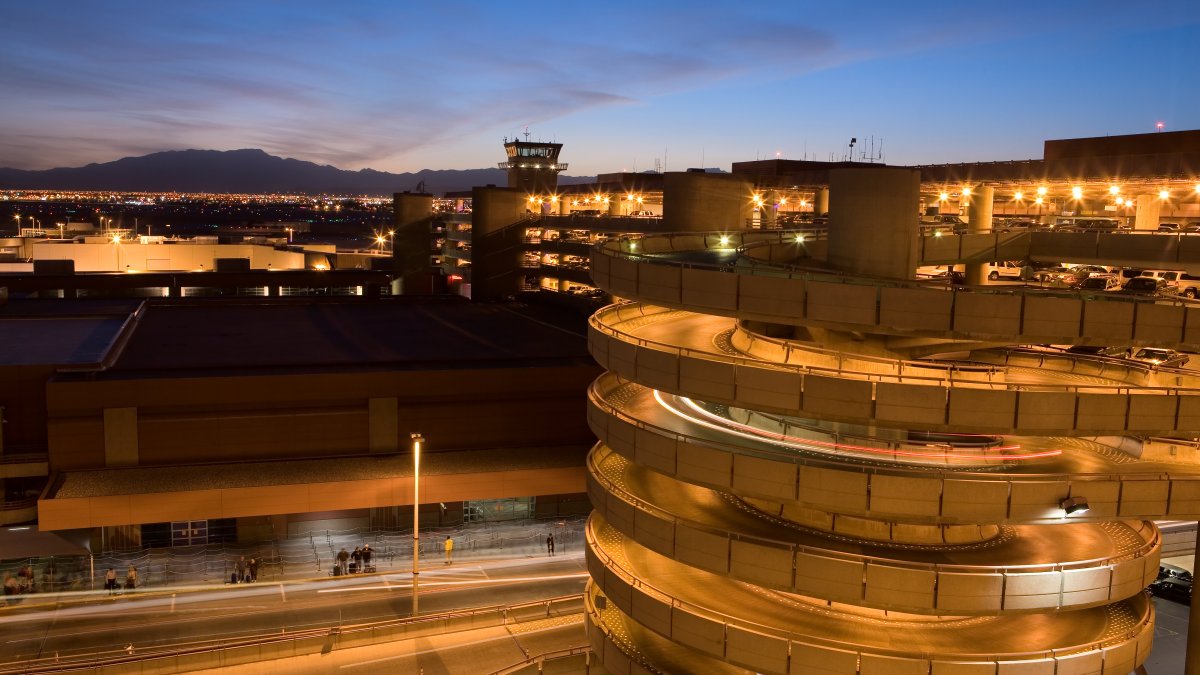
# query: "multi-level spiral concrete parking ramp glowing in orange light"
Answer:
x=805 y=471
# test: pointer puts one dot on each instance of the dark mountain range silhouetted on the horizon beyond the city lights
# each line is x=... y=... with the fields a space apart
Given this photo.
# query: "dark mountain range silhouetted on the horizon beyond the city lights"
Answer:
x=247 y=172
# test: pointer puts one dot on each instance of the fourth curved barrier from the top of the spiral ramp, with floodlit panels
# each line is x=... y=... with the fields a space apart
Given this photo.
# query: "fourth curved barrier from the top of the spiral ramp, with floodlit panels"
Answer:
x=861 y=581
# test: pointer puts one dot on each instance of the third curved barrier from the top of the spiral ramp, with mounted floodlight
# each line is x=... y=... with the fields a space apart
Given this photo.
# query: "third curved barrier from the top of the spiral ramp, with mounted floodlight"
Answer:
x=961 y=498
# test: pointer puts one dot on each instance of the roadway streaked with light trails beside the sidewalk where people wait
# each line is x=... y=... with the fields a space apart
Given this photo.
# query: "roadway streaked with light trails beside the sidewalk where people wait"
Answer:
x=97 y=623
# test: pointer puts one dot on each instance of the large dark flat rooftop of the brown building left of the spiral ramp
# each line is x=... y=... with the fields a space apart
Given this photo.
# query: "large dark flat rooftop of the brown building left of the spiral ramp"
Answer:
x=272 y=334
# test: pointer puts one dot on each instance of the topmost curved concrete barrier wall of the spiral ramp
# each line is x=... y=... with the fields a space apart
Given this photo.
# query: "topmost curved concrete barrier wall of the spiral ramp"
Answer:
x=1012 y=315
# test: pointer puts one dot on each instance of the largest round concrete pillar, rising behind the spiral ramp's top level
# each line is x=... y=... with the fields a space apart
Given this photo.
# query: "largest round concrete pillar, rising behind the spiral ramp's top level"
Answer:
x=873 y=220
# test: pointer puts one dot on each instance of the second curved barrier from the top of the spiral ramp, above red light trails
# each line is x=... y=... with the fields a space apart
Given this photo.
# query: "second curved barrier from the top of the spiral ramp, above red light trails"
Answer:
x=910 y=402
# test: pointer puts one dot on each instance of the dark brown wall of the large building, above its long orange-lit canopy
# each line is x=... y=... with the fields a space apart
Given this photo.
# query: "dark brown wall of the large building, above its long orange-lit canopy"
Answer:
x=247 y=417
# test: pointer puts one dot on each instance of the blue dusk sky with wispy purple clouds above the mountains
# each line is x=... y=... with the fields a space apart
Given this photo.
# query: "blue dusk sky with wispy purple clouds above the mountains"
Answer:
x=407 y=86
